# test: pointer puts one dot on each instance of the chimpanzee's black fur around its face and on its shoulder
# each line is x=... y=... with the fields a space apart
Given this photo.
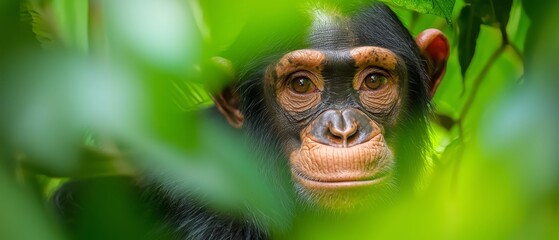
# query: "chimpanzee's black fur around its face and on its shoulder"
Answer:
x=168 y=216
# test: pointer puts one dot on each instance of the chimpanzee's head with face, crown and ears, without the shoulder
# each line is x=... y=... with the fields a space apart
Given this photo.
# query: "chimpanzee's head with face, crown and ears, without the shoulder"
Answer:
x=336 y=104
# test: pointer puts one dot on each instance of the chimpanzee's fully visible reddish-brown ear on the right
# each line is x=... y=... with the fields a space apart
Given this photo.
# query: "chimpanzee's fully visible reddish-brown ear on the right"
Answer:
x=434 y=47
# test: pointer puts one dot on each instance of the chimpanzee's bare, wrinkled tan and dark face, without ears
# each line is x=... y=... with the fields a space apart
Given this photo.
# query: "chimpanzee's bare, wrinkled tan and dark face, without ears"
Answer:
x=336 y=108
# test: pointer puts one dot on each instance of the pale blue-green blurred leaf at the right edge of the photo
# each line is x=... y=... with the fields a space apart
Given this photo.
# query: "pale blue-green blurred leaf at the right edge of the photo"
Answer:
x=510 y=133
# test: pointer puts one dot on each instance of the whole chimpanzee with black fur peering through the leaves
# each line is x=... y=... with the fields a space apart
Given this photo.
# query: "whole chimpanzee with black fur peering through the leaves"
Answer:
x=345 y=105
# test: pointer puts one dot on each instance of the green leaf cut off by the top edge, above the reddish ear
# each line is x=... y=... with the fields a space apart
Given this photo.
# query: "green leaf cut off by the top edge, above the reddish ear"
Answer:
x=441 y=8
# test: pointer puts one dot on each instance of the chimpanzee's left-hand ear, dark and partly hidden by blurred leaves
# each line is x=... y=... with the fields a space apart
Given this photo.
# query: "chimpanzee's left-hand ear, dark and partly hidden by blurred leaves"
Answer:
x=227 y=100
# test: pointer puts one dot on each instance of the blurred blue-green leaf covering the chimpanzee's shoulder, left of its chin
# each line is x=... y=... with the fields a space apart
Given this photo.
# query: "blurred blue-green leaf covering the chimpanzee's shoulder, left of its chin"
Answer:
x=222 y=172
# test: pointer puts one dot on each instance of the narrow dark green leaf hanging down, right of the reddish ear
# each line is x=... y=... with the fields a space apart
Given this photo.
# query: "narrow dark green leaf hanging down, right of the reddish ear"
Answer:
x=468 y=27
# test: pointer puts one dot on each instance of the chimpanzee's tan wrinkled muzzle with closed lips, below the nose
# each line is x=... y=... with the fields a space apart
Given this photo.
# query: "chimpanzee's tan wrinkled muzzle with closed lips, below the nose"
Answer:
x=321 y=167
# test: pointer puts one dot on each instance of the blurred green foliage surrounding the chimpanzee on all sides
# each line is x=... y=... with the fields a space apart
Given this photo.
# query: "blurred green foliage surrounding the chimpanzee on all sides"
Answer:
x=96 y=87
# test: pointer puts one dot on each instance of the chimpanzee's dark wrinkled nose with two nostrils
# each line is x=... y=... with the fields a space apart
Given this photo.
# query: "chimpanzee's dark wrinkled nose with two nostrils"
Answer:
x=342 y=128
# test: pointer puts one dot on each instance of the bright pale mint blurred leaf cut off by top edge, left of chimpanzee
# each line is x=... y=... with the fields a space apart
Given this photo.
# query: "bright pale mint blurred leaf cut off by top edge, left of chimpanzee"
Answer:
x=161 y=34
